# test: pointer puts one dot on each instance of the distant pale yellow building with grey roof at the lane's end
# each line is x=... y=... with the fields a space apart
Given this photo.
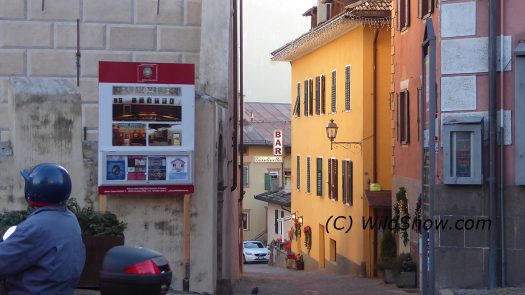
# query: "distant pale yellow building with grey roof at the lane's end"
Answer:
x=263 y=171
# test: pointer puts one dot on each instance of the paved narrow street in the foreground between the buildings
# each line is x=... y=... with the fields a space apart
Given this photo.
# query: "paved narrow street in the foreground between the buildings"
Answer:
x=273 y=280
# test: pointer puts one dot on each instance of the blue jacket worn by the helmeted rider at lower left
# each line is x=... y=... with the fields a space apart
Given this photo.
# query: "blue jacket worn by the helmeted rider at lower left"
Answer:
x=45 y=255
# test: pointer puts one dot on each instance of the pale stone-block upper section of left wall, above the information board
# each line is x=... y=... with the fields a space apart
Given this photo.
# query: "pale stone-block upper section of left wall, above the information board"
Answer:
x=38 y=38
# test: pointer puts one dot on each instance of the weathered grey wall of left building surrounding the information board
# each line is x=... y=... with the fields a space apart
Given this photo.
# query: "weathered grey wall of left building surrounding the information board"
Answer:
x=41 y=43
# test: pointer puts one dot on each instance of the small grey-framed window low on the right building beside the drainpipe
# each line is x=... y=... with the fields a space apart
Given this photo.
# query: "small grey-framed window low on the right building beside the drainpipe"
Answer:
x=462 y=145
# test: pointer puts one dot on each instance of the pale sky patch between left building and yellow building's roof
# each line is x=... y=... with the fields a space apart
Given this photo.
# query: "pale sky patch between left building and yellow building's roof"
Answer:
x=268 y=25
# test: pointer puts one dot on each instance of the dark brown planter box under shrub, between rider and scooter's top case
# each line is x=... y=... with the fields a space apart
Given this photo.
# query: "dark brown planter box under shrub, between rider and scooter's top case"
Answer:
x=96 y=248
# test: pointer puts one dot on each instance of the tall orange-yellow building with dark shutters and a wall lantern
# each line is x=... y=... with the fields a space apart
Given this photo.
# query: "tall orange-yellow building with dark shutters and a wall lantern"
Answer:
x=341 y=72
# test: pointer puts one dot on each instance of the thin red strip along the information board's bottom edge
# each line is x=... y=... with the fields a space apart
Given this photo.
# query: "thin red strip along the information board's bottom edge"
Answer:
x=141 y=190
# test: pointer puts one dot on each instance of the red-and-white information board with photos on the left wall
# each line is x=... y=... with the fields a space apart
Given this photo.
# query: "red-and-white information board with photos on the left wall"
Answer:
x=146 y=128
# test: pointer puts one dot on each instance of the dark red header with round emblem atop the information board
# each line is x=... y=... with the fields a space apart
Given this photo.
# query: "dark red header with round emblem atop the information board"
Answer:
x=146 y=72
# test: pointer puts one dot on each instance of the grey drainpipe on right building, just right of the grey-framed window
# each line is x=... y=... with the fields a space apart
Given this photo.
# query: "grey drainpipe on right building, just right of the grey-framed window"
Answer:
x=493 y=251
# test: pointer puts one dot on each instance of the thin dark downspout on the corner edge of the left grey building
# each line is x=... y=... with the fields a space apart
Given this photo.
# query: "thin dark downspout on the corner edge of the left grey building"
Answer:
x=235 y=97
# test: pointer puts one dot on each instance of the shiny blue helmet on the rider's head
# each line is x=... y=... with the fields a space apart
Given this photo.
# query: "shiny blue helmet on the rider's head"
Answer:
x=46 y=184
